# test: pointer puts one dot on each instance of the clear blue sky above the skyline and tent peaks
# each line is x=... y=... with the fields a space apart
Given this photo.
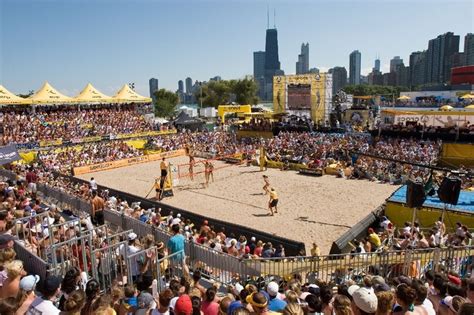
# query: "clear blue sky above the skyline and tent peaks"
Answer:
x=111 y=42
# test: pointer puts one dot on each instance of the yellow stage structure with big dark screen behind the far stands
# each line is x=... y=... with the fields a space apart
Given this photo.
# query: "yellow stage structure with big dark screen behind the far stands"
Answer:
x=307 y=95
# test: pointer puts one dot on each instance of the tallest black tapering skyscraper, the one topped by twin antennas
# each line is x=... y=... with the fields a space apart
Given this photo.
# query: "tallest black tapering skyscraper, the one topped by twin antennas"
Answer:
x=272 y=62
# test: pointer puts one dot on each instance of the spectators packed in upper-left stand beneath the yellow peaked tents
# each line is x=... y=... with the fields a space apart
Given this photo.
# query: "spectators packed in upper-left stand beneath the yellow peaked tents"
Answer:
x=69 y=124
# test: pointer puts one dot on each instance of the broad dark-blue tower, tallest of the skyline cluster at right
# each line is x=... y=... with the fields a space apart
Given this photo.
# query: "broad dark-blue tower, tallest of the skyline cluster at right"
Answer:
x=439 y=57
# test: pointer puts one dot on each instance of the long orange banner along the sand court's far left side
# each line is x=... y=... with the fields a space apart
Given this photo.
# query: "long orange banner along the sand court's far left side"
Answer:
x=126 y=162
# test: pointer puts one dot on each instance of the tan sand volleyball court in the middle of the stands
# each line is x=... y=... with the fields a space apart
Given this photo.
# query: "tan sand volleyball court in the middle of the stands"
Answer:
x=310 y=209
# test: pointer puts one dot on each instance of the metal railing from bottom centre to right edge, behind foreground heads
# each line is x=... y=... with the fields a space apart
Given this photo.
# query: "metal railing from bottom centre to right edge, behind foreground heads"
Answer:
x=339 y=268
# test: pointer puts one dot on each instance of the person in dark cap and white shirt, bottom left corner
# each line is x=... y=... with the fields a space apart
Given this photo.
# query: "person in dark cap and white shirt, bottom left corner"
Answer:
x=45 y=303
